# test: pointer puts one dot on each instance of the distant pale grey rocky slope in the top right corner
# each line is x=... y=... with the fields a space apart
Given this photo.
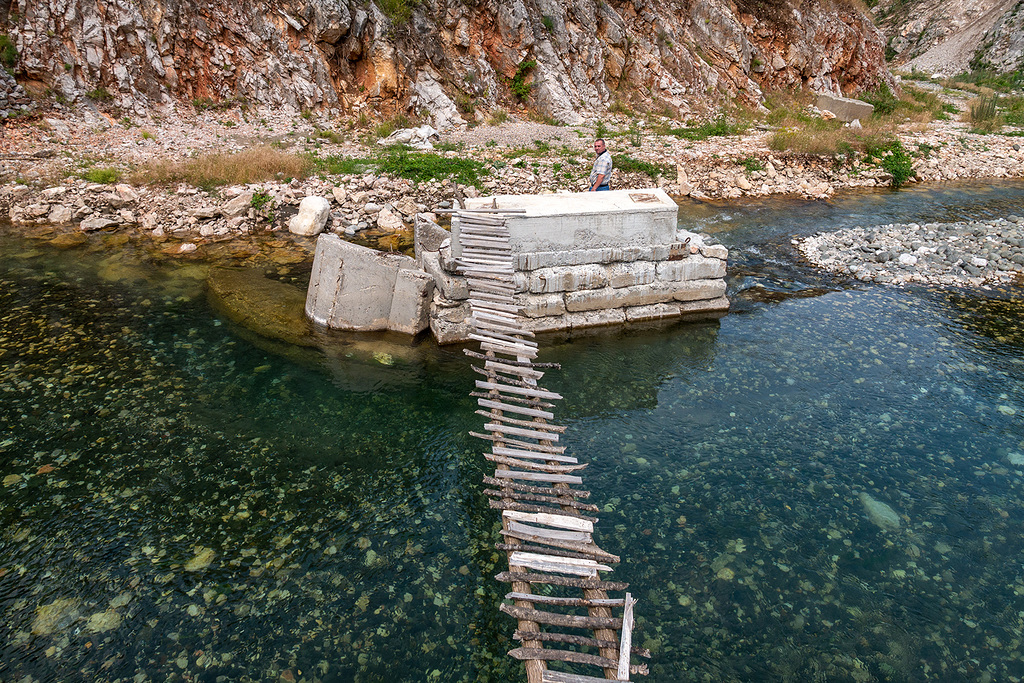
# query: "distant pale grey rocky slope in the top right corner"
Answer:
x=955 y=36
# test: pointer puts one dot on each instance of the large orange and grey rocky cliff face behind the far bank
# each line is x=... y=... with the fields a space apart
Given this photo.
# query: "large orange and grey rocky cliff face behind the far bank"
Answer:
x=450 y=59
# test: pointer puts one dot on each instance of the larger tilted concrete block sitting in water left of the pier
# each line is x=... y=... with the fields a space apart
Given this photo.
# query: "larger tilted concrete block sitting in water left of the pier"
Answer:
x=352 y=287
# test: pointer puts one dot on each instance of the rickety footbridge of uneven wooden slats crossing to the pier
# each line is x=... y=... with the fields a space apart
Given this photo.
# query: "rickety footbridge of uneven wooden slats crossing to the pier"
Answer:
x=547 y=526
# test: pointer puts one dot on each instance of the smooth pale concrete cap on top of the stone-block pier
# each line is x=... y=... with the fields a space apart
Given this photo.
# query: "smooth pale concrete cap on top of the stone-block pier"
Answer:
x=618 y=220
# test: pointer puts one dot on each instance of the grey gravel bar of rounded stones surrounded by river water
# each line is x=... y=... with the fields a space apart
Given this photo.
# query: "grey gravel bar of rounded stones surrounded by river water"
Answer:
x=961 y=253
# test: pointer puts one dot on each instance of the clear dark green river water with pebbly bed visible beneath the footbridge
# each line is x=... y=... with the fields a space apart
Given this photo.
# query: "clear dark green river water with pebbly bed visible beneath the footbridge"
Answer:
x=192 y=503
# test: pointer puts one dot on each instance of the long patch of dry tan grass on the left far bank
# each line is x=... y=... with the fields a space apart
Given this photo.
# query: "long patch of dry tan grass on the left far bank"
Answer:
x=253 y=165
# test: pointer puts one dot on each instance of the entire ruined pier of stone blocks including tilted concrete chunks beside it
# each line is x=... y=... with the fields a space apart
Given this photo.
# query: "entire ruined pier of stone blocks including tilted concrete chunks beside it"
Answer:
x=581 y=261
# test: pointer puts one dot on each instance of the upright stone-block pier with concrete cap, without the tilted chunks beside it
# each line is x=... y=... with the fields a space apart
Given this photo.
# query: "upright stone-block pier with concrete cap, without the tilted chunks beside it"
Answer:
x=583 y=261
